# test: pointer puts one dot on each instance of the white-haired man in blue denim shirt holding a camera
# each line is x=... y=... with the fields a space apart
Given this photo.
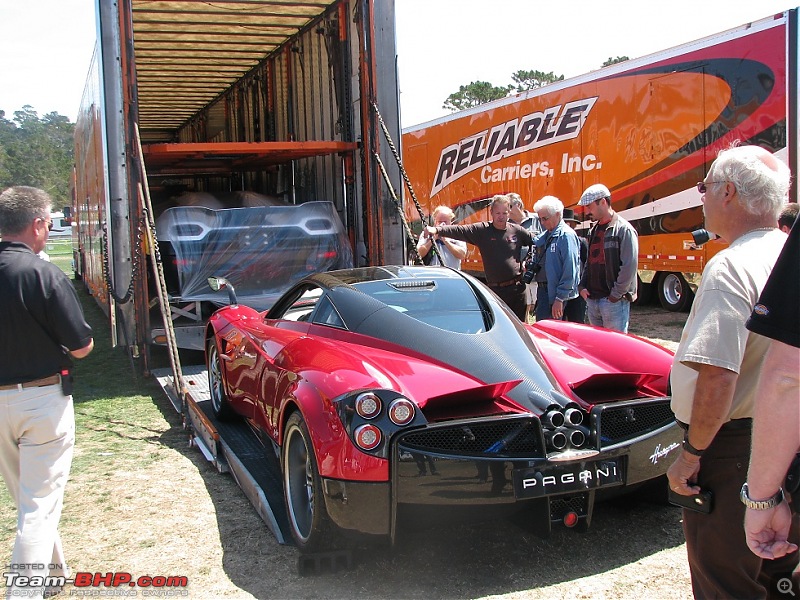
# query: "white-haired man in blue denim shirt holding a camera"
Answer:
x=556 y=263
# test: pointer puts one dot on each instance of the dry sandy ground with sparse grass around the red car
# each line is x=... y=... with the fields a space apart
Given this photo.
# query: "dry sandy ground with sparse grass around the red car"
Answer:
x=156 y=507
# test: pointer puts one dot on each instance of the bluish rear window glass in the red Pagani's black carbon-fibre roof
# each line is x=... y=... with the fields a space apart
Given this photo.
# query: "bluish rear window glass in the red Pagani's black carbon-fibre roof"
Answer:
x=449 y=304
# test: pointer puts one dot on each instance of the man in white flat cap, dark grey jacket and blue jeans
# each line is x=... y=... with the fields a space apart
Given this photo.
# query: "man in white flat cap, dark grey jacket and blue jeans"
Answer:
x=608 y=283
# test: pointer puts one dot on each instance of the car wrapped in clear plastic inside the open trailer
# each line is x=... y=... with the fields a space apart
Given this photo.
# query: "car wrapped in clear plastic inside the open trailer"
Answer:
x=261 y=250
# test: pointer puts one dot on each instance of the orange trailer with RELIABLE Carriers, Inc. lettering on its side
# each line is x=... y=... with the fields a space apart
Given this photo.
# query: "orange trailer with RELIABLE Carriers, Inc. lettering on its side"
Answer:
x=647 y=128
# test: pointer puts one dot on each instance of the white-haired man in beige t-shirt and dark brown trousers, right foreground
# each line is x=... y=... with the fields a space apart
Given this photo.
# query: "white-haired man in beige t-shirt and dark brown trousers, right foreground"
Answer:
x=715 y=374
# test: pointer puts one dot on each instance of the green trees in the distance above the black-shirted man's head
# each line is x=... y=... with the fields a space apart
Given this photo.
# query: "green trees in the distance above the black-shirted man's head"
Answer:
x=37 y=151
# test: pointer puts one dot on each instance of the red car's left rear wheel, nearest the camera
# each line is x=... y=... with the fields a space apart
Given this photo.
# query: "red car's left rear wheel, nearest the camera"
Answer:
x=309 y=522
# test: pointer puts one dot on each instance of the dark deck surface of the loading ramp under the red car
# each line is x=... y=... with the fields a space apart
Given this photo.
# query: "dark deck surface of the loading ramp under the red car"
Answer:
x=260 y=469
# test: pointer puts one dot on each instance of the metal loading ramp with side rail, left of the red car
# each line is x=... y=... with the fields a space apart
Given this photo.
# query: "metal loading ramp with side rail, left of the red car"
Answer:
x=230 y=447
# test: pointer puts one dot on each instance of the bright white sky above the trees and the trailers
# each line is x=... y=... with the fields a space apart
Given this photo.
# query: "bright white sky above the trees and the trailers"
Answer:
x=46 y=45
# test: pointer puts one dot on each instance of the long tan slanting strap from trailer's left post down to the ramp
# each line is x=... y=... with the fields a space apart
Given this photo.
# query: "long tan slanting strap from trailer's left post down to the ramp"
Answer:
x=158 y=273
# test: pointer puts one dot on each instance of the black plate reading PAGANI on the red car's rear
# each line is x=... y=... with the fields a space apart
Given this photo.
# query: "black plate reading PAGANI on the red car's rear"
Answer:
x=536 y=482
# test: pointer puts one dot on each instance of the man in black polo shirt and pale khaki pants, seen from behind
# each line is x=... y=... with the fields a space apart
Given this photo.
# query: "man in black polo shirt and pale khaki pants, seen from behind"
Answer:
x=43 y=326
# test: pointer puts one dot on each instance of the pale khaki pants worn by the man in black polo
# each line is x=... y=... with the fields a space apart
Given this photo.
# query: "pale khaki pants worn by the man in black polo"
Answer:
x=37 y=435
